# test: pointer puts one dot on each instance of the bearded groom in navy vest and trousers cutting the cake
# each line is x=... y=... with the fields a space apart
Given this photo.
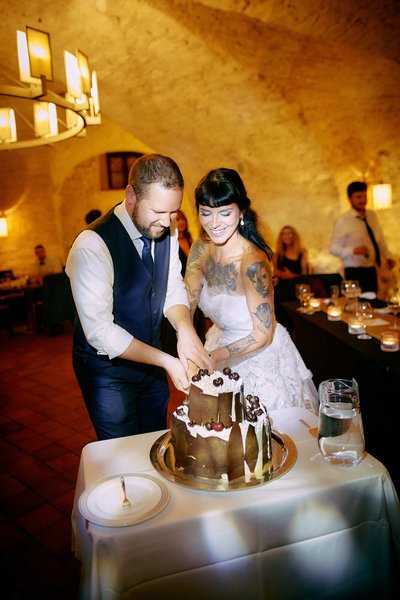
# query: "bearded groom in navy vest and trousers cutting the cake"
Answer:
x=125 y=274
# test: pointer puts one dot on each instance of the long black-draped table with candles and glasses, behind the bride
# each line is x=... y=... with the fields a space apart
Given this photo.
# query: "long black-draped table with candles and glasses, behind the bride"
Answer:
x=329 y=351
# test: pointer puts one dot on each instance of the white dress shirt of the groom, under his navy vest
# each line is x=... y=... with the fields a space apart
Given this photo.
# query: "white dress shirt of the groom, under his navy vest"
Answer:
x=90 y=269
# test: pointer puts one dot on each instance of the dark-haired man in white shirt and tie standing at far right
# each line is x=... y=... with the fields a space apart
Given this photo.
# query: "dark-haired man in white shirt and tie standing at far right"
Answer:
x=359 y=241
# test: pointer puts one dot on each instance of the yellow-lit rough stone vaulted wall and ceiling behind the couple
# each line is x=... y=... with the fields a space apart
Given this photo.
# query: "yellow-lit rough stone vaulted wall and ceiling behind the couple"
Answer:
x=300 y=97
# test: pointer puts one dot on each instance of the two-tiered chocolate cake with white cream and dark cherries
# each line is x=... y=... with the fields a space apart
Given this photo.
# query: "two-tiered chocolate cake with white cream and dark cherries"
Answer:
x=218 y=433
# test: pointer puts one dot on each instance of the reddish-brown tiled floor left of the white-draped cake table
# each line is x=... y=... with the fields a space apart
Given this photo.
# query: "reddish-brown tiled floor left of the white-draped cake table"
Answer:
x=43 y=427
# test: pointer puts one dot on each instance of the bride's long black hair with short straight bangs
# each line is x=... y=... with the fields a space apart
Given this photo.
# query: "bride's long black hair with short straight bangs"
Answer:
x=221 y=187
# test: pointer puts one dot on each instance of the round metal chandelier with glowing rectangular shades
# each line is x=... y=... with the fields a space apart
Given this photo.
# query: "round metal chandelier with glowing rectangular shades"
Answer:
x=38 y=116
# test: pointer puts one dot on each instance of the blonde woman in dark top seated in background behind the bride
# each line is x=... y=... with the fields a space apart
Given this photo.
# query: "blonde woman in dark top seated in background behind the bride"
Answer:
x=291 y=258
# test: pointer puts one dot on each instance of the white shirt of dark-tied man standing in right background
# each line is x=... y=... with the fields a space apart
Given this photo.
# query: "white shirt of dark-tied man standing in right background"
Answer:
x=349 y=232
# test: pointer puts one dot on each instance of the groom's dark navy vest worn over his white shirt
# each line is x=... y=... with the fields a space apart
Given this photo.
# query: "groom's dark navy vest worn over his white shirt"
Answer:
x=138 y=298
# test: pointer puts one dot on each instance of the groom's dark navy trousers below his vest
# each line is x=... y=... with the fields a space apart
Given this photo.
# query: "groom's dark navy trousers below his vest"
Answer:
x=118 y=408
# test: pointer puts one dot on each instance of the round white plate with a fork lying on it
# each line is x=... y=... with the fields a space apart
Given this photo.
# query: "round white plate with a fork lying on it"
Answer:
x=101 y=503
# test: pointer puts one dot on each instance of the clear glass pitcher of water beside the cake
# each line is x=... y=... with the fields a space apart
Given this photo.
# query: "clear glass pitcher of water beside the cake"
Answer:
x=340 y=430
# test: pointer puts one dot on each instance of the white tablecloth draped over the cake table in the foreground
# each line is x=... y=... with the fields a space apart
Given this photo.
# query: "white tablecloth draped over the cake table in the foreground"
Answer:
x=320 y=531
